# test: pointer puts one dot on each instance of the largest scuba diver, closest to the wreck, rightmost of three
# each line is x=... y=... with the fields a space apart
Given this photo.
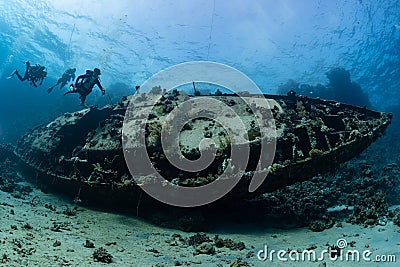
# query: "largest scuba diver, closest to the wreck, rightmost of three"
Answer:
x=85 y=83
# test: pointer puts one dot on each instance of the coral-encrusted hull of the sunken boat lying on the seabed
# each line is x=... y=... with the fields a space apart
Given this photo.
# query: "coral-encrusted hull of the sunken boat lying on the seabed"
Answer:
x=83 y=150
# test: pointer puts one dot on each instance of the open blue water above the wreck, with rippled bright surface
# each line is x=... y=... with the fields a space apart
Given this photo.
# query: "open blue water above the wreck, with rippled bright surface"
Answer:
x=270 y=41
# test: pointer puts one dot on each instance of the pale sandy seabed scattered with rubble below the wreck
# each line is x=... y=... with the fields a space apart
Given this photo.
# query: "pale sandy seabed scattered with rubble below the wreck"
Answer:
x=41 y=229
